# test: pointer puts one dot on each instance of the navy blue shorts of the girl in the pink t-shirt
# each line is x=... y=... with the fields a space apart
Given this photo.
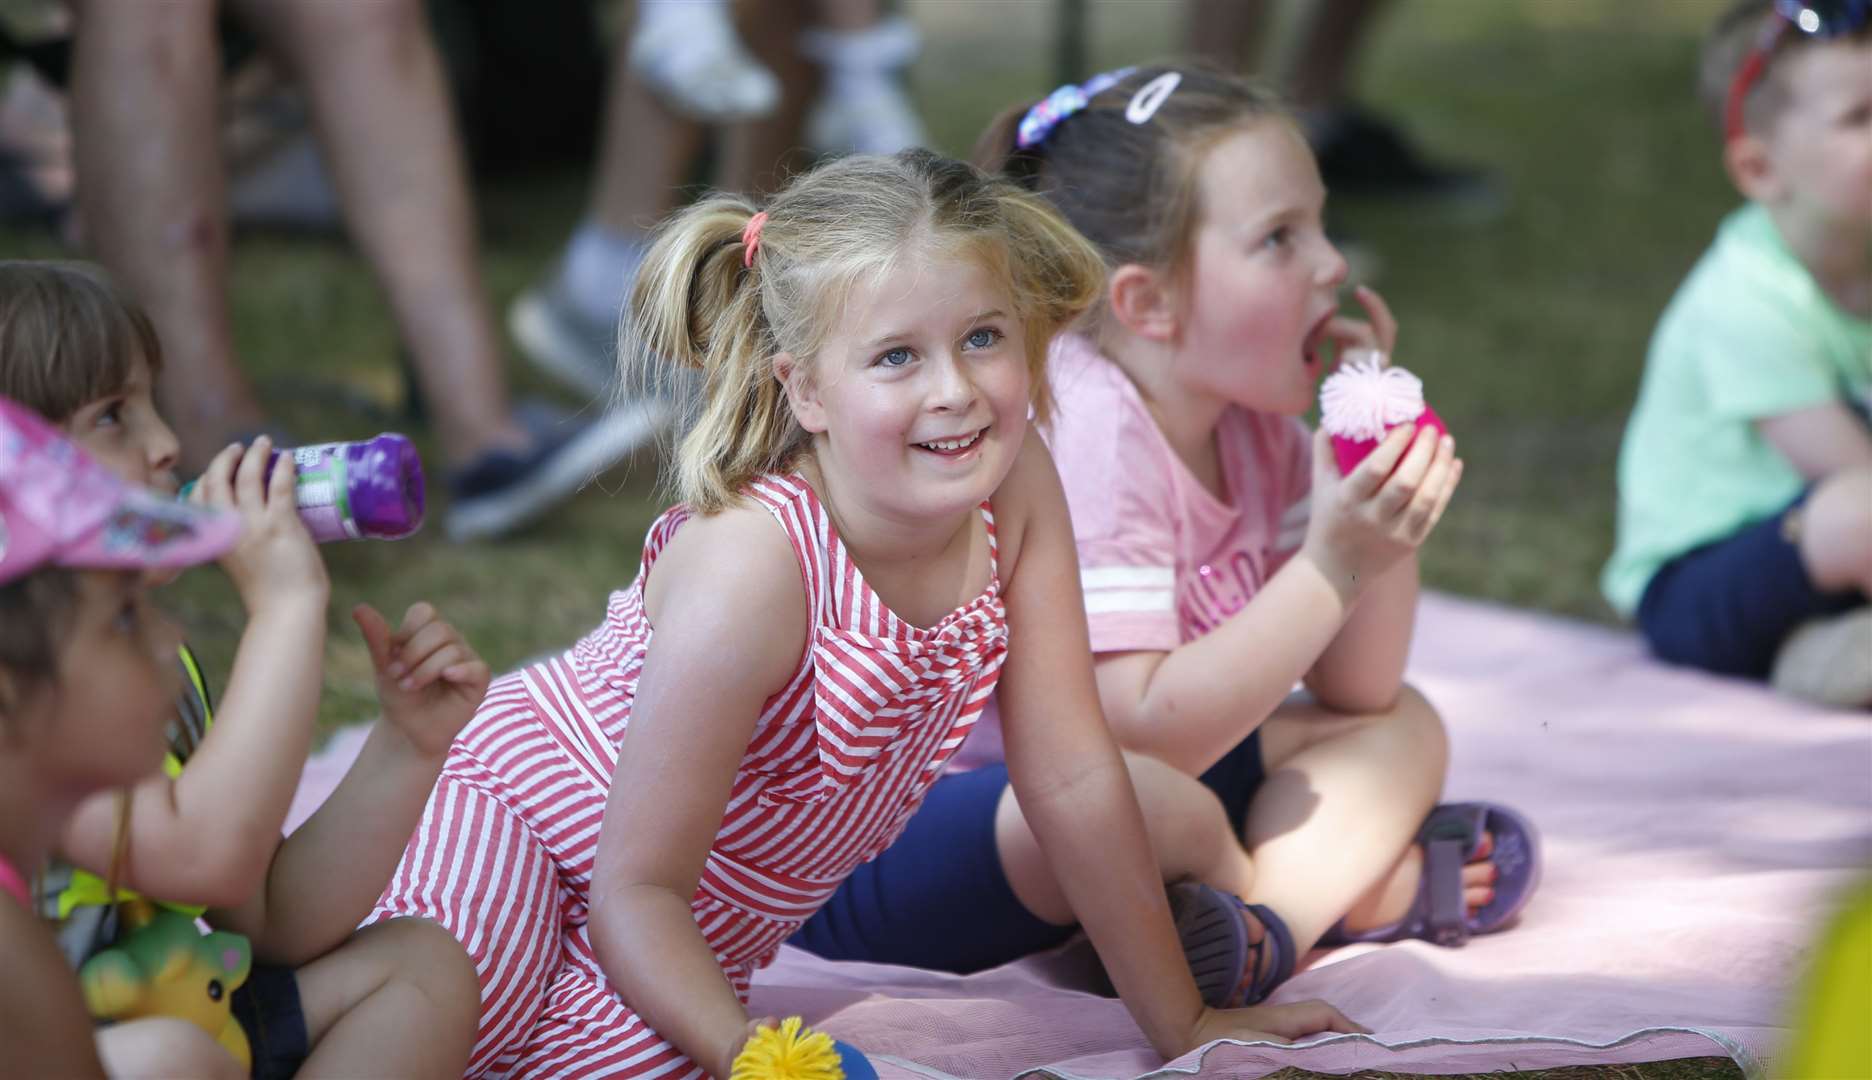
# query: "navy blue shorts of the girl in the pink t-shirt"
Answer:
x=941 y=899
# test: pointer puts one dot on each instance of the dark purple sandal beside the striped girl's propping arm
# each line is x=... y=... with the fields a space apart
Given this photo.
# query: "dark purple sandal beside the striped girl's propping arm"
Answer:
x=1216 y=942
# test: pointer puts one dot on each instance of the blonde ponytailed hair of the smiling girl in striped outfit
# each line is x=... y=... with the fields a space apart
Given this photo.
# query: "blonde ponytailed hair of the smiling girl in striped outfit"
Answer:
x=705 y=306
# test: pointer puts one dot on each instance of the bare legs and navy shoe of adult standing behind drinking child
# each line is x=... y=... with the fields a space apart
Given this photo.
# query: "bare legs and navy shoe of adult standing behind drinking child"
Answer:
x=153 y=194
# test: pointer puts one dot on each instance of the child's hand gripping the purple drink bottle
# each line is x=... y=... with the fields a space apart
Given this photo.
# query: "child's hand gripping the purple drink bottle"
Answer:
x=276 y=559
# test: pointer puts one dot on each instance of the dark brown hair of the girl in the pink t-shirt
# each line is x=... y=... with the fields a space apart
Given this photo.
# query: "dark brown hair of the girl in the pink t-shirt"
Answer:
x=1132 y=188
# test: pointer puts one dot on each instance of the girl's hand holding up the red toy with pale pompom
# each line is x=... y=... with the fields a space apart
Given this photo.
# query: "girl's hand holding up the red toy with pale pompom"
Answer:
x=1364 y=523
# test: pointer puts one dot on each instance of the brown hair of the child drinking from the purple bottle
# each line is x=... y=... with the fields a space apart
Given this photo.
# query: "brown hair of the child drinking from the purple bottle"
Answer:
x=68 y=336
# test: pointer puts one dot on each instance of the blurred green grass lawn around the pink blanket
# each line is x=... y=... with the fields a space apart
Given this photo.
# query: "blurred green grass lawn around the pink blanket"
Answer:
x=1528 y=330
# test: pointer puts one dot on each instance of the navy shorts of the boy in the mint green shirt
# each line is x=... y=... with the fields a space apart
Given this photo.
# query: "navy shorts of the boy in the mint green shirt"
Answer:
x=1729 y=606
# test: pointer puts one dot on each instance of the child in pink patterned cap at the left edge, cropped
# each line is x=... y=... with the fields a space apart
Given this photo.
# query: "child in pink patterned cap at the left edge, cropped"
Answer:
x=87 y=686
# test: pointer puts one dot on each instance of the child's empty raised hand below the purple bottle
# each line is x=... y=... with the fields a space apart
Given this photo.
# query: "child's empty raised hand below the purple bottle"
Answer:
x=430 y=679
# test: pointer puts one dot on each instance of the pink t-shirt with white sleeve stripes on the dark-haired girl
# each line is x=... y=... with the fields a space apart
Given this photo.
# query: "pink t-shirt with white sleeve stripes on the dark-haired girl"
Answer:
x=1162 y=561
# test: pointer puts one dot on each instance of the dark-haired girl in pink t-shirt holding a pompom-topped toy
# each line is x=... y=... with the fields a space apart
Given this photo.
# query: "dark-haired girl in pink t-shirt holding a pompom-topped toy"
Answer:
x=1223 y=557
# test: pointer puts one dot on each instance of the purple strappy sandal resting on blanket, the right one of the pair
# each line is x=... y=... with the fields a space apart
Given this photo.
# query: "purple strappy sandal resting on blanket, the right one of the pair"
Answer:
x=1450 y=838
